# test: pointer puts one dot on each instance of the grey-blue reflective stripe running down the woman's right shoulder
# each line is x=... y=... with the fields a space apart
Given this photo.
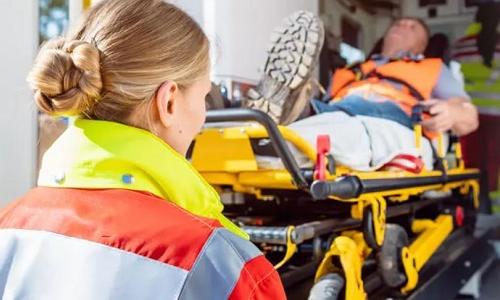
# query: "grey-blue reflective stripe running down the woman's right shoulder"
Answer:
x=218 y=267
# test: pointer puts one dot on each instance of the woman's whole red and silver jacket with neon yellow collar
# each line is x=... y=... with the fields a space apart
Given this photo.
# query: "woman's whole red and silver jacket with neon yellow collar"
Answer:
x=120 y=215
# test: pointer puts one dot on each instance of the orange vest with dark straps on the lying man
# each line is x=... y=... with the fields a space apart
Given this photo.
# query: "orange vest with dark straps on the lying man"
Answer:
x=415 y=80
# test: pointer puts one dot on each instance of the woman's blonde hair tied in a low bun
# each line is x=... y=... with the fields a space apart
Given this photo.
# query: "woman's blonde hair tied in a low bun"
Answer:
x=117 y=58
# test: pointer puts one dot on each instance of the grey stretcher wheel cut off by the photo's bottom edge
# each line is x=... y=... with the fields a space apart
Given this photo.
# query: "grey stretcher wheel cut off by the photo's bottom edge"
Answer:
x=328 y=287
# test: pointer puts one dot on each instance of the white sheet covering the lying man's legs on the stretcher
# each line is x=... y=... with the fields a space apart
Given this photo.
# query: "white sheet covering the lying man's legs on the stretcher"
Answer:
x=361 y=143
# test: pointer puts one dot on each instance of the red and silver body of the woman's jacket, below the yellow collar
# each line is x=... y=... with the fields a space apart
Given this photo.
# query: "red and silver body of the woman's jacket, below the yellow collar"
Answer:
x=58 y=243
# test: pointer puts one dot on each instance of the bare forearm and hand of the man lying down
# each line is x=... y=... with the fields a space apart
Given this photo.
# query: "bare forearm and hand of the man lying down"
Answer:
x=456 y=114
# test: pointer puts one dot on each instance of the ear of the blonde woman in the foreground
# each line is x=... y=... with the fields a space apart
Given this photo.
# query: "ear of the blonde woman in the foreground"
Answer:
x=166 y=102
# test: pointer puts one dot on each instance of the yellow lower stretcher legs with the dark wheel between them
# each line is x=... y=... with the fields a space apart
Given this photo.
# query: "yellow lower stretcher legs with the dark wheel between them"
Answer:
x=398 y=261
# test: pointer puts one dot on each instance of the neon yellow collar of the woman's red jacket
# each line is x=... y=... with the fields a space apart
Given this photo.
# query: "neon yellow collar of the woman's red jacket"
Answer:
x=107 y=155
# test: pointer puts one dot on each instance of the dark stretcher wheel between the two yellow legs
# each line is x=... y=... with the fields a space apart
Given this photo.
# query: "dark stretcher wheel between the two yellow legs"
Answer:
x=389 y=261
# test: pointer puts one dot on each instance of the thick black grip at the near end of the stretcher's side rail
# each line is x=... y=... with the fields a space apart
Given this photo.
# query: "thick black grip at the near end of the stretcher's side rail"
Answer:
x=347 y=187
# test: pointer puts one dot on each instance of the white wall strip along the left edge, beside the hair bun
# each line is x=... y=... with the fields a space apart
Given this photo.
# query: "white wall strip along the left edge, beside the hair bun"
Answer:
x=19 y=32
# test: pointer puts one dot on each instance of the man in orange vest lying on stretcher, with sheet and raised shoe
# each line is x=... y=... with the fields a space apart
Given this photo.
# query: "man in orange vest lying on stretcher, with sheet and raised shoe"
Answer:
x=369 y=113
